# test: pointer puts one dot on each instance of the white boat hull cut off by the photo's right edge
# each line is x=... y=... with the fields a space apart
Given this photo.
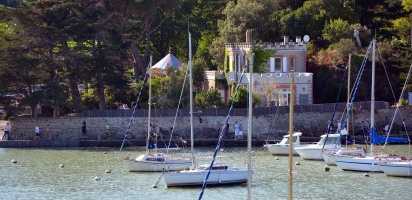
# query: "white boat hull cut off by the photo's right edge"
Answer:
x=403 y=169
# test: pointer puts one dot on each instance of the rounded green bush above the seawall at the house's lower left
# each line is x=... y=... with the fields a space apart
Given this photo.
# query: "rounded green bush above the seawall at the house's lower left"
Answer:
x=209 y=99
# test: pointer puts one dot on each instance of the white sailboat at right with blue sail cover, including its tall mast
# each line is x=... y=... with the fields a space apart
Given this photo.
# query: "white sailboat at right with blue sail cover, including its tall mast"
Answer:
x=366 y=163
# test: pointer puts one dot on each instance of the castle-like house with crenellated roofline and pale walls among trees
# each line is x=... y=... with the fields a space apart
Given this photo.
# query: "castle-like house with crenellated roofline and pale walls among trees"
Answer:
x=273 y=87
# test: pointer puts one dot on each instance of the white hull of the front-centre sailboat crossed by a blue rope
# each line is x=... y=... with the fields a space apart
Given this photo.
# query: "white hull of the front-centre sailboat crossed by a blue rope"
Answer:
x=196 y=178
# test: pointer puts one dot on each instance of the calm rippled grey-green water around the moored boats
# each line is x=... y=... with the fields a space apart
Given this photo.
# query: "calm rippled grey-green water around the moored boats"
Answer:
x=37 y=175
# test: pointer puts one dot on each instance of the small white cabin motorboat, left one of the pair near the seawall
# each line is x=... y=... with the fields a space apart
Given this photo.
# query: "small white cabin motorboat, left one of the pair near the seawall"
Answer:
x=282 y=148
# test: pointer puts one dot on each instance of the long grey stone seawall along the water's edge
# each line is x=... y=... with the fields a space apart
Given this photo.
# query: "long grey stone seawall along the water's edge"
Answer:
x=264 y=126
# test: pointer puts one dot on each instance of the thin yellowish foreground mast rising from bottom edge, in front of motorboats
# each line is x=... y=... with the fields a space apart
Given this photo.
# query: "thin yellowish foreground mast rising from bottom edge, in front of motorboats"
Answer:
x=291 y=104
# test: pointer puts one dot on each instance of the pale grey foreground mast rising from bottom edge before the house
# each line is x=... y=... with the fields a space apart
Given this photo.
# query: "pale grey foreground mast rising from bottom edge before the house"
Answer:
x=249 y=127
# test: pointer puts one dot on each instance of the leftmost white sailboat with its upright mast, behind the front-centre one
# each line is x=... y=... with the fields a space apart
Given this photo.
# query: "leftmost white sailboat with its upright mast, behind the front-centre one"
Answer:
x=155 y=162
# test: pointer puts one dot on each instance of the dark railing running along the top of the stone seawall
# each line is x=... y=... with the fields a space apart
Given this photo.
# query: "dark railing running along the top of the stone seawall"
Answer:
x=185 y=112
